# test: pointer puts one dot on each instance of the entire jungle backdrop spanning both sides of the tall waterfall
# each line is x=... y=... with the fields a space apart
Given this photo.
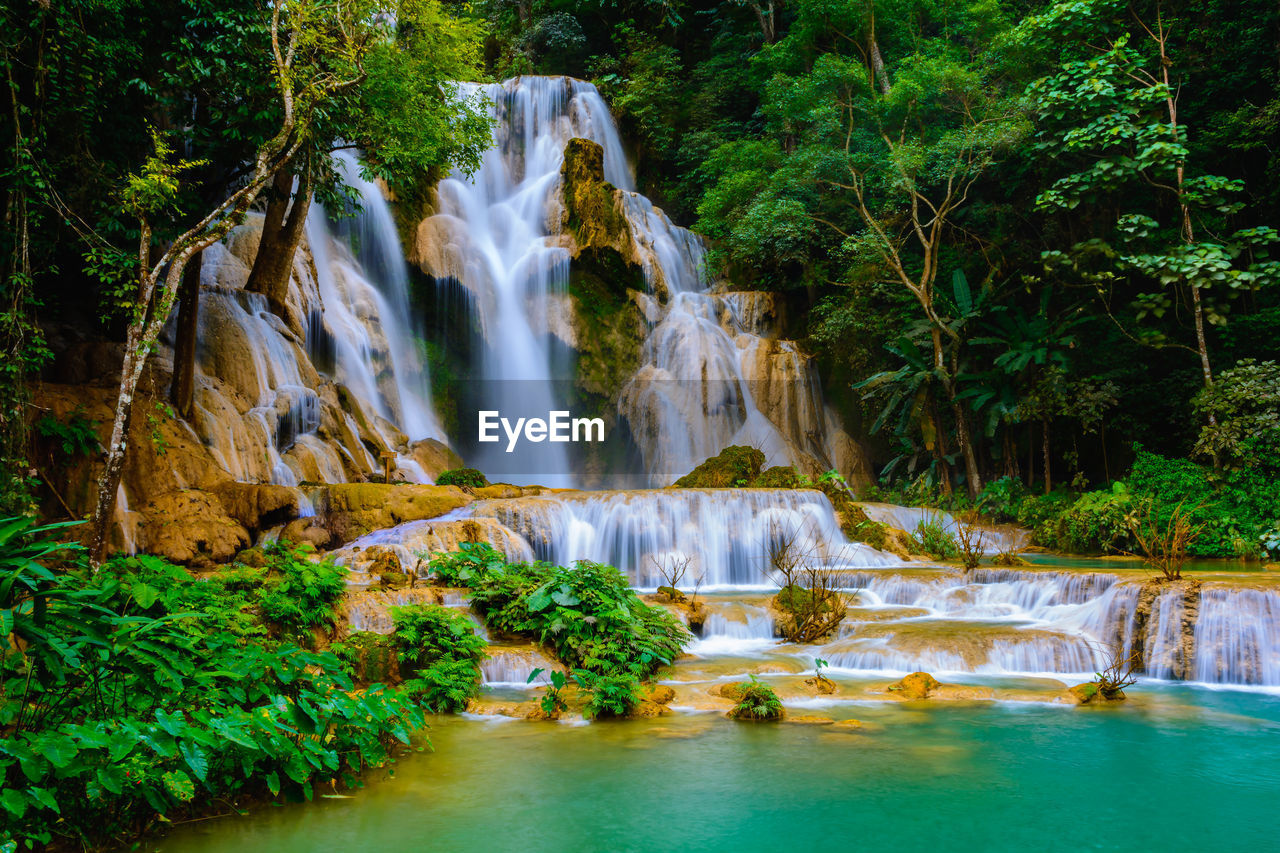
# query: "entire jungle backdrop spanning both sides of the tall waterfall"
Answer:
x=1022 y=238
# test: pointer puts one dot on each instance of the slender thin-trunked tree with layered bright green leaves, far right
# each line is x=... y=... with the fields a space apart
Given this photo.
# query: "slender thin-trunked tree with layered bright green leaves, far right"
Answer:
x=1113 y=115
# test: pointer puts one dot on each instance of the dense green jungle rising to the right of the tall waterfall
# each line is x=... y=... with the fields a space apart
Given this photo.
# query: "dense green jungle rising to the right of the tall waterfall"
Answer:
x=1025 y=239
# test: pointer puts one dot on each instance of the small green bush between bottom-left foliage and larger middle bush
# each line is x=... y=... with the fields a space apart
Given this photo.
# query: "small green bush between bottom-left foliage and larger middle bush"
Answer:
x=440 y=655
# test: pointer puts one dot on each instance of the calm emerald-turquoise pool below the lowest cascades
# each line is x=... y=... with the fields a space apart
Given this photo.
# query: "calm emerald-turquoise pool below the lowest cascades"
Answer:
x=1173 y=769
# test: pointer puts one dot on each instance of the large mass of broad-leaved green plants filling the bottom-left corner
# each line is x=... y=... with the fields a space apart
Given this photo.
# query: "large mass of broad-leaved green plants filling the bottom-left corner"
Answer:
x=126 y=703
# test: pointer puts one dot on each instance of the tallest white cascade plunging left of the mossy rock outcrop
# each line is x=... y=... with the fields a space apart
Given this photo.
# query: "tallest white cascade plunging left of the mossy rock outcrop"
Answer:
x=502 y=249
